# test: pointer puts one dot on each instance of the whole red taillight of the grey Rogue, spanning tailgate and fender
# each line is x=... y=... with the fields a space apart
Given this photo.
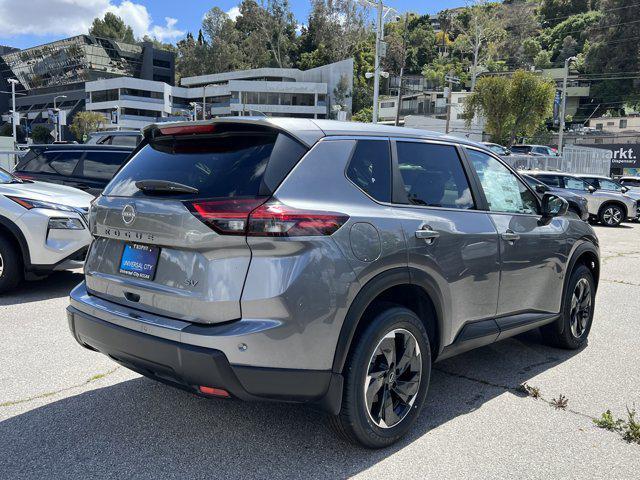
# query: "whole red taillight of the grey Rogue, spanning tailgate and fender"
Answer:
x=255 y=218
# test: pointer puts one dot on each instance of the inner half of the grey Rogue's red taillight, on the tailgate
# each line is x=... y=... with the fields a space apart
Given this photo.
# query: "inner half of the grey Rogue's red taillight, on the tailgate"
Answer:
x=227 y=217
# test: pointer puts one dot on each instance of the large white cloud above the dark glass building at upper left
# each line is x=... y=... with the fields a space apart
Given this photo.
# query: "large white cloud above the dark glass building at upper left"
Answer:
x=72 y=17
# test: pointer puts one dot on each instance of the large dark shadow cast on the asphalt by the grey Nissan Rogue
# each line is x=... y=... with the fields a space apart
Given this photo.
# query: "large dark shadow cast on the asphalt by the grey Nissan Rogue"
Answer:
x=144 y=429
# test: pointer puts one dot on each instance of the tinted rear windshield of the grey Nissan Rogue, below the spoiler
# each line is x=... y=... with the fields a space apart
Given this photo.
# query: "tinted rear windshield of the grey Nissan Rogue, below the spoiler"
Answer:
x=232 y=165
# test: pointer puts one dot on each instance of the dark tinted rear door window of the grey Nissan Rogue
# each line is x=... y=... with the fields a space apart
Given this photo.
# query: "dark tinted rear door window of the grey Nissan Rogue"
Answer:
x=433 y=175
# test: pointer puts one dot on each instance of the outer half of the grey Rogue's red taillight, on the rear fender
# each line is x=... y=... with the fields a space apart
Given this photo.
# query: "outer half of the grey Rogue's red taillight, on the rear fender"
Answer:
x=275 y=219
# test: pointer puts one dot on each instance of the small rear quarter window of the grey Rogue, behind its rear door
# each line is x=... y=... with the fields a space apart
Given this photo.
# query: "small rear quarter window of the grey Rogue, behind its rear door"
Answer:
x=370 y=168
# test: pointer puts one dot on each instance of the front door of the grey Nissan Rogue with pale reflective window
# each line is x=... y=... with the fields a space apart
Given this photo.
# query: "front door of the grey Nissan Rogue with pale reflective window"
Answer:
x=533 y=250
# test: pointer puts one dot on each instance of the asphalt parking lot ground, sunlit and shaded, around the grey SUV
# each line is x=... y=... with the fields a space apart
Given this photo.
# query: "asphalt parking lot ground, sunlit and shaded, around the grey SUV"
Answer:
x=66 y=412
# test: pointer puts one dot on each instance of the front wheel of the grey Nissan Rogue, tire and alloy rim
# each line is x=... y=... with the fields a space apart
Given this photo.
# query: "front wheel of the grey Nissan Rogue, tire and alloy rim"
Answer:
x=571 y=330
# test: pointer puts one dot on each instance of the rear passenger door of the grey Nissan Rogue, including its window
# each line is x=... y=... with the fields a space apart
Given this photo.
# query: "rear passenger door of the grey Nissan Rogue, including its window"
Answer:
x=449 y=240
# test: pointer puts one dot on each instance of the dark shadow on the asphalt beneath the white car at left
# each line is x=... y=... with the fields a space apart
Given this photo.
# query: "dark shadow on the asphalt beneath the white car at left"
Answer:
x=56 y=285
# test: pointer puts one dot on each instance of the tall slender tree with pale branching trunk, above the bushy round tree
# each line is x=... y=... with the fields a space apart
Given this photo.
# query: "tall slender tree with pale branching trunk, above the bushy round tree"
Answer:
x=479 y=28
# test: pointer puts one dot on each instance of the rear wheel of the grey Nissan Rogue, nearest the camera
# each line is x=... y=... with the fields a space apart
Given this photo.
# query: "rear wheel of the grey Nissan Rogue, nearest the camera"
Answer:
x=367 y=424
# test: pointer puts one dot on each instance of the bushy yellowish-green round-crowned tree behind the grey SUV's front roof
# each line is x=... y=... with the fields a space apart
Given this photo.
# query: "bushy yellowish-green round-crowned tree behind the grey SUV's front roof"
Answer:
x=513 y=106
